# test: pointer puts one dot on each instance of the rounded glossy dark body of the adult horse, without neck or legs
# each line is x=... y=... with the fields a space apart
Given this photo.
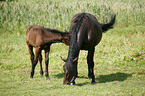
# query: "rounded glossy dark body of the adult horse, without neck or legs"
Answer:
x=90 y=32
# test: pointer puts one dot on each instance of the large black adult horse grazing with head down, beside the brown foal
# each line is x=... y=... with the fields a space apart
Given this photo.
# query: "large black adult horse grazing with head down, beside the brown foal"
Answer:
x=86 y=33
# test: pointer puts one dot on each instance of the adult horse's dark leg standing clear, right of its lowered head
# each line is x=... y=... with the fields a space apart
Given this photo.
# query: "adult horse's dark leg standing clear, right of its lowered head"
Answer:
x=91 y=64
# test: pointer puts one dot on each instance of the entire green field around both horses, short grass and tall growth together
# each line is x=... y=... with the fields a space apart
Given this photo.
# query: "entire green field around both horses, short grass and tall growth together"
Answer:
x=119 y=58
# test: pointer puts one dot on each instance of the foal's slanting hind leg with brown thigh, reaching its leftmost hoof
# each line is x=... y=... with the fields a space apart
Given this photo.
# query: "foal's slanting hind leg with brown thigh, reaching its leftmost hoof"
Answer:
x=35 y=61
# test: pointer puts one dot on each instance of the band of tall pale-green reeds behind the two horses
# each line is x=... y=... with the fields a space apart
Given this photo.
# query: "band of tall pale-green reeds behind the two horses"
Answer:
x=16 y=16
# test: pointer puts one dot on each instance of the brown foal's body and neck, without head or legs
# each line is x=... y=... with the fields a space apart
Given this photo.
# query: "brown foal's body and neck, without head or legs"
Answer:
x=39 y=36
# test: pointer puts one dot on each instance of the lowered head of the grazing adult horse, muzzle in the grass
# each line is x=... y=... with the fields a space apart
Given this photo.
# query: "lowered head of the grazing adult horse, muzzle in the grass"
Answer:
x=69 y=69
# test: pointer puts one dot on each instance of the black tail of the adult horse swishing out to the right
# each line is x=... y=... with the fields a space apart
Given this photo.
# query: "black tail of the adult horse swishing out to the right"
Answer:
x=106 y=27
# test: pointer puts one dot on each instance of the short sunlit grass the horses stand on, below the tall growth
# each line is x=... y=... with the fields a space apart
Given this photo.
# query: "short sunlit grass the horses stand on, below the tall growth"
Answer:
x=116 y=70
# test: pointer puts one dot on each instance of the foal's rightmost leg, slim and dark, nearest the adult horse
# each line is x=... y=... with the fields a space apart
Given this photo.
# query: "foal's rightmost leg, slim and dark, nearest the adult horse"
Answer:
x=47 y=62
